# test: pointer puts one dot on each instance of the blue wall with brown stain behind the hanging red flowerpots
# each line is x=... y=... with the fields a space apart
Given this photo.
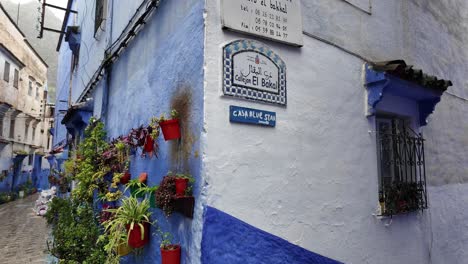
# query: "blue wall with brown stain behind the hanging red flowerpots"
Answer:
x=163 y=65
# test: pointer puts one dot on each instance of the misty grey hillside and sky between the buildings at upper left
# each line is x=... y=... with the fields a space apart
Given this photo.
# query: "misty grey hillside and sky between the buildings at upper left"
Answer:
x=28 y=15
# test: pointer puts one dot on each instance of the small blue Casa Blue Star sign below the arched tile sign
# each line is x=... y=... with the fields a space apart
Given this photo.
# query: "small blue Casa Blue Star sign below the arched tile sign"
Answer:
x=245 y=115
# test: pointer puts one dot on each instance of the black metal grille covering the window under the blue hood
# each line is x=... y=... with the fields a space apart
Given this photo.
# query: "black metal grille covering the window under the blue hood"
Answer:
x=402 y=179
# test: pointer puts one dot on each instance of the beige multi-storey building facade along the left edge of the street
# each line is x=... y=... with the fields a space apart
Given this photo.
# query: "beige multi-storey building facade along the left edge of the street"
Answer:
x=25 y=116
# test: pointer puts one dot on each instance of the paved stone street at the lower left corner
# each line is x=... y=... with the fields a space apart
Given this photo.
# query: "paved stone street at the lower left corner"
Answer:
x=23 y=234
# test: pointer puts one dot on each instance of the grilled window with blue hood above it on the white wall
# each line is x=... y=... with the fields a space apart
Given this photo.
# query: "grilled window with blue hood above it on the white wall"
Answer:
x=399 y=99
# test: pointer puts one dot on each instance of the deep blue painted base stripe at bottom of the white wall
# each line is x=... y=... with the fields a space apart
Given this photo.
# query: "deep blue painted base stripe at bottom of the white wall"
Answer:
x=227 y=239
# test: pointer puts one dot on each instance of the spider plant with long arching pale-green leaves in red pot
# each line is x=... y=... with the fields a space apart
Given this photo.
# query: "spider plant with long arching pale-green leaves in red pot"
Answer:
x=134 y=216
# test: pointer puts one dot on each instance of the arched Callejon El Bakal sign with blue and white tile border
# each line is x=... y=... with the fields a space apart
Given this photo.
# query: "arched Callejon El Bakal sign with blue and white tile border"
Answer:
x=253 y=71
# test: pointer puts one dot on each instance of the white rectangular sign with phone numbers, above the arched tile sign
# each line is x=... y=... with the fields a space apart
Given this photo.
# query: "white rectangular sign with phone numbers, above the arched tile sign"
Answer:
x=279 y=20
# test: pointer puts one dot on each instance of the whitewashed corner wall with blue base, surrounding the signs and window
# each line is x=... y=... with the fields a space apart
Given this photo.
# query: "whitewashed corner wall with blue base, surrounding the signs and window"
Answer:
x=312 y=180
